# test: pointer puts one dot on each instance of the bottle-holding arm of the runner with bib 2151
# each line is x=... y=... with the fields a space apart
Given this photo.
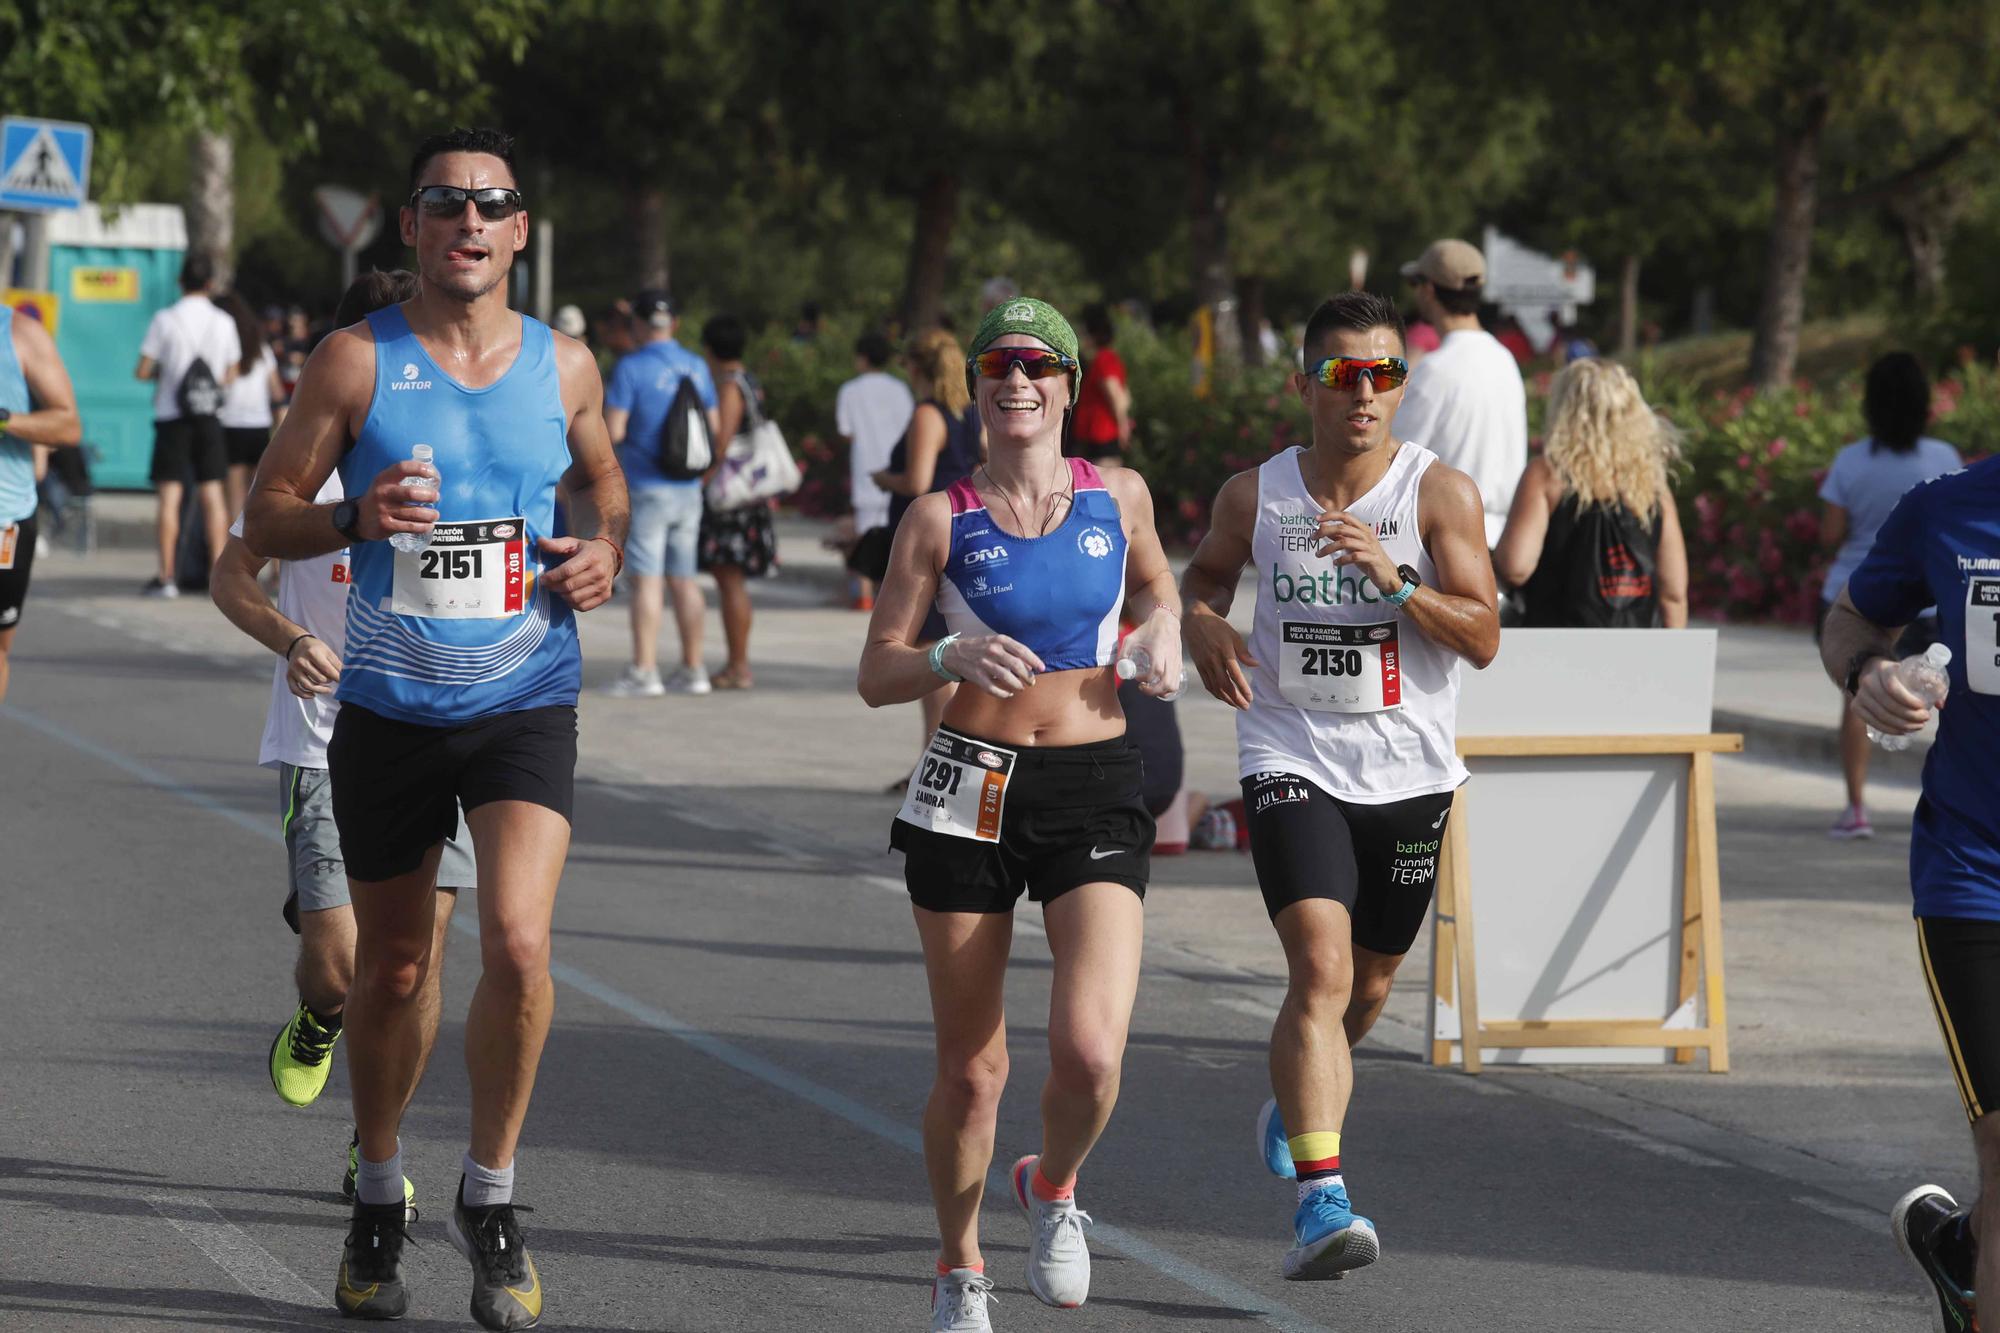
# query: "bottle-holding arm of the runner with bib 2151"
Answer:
x=281 y=521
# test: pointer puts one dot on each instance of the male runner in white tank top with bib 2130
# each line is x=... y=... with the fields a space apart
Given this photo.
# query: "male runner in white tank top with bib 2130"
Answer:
x=1373 y=585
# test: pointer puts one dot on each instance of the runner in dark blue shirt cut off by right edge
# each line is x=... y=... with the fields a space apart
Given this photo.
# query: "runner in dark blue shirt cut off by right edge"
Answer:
x=1941 y=545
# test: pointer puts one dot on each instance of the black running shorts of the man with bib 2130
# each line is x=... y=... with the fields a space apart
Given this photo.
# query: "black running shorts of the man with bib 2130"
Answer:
x=1379 y=862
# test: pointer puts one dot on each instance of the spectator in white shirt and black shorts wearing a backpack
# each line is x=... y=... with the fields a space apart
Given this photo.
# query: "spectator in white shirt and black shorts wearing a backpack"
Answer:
x=189 y=347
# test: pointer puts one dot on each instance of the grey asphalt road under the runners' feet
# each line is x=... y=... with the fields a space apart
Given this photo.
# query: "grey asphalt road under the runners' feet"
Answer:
x=725 y=1130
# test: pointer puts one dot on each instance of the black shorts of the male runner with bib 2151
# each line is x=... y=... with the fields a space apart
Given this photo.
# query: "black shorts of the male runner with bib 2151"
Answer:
x=399 y=786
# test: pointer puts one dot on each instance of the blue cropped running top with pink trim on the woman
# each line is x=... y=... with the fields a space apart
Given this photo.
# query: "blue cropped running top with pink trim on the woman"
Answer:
x=1059 y=595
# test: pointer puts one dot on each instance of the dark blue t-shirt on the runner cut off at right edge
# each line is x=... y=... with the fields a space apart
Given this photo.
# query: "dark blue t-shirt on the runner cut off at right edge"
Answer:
x=1941 y=545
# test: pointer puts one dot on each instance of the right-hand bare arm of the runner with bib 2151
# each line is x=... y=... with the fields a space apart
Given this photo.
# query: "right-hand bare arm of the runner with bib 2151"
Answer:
x=595 y=487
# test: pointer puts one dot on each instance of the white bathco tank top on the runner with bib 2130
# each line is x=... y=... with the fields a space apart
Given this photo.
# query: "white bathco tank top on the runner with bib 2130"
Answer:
x=1347 y=692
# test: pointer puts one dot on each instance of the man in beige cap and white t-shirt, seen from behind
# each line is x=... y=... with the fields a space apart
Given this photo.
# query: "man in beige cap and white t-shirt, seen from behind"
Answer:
x=1465 y=401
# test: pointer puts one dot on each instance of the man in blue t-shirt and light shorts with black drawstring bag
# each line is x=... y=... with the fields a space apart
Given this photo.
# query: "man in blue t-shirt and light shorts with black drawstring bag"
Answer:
x=667 y=515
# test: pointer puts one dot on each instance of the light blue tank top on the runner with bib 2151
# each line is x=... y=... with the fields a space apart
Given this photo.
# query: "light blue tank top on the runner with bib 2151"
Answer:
x=501 y=451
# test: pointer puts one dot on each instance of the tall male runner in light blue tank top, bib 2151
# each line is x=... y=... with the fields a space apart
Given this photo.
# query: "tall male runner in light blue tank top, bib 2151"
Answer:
x=461 y=676
